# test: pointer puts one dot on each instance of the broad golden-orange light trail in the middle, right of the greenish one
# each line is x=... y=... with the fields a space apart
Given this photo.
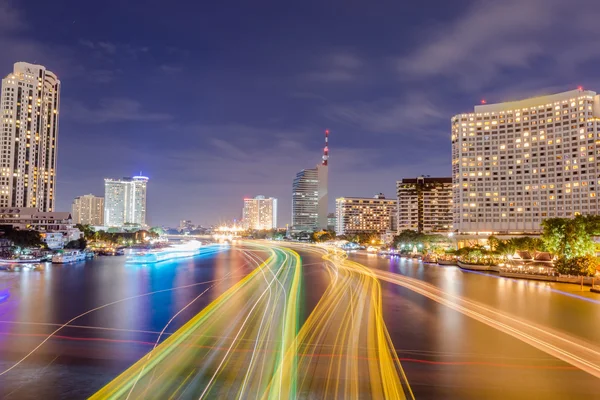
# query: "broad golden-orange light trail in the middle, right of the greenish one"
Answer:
x=348 y=321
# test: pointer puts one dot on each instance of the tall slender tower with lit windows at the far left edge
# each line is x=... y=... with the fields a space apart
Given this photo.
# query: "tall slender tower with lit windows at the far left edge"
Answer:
x=30 y=108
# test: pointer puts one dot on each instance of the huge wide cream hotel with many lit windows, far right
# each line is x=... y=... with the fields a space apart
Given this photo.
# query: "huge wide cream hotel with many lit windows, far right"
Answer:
x=515 y=164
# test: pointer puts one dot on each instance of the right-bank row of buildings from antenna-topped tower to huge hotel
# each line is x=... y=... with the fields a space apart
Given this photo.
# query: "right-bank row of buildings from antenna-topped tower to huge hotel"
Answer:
x=513 y=165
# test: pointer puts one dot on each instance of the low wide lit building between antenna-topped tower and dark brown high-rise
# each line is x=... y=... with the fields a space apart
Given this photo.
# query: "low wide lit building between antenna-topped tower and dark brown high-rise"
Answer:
x=364 y=215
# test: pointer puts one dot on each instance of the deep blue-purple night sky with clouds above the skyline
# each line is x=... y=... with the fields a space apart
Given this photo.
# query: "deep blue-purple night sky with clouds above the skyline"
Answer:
x=216 y=101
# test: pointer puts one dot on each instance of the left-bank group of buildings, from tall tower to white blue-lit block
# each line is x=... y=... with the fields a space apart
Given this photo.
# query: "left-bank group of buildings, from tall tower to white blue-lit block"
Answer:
x=30 y=101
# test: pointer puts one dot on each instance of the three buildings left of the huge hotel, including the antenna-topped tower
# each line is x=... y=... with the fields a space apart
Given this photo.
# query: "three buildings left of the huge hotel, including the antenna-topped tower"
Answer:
x=423 y=204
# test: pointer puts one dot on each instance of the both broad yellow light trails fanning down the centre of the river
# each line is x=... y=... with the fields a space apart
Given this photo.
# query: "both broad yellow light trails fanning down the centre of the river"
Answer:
x=248 y=343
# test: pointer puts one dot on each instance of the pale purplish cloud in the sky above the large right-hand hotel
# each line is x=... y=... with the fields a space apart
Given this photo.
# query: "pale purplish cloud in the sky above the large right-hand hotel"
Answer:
x=491 y=37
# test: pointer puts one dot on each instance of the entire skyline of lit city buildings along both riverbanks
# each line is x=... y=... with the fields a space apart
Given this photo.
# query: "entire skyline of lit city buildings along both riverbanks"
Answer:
x=513 y=165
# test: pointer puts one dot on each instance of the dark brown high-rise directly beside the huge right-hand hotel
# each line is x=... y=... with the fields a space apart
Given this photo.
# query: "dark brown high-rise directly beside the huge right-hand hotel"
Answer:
x=425 y=204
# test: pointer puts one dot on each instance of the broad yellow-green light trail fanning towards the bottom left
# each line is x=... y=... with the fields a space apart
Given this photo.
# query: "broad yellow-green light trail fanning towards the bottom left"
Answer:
x=196 y=362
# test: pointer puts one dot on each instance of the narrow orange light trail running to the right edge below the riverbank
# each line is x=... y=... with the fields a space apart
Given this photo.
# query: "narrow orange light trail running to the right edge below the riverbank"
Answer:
x=585 y=356
